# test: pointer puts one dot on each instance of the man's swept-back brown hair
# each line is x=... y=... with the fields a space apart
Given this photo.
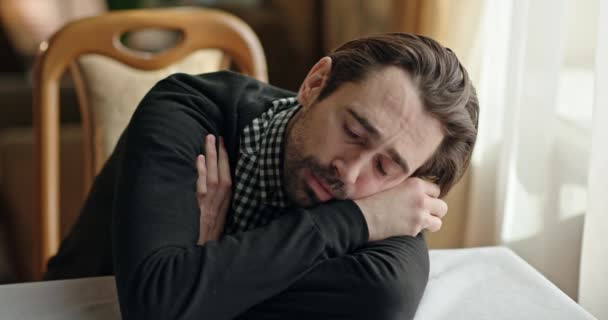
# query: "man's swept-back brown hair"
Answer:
x=443 y=85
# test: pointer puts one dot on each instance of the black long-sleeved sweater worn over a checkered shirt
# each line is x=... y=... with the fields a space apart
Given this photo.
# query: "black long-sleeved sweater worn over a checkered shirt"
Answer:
x=141 y=223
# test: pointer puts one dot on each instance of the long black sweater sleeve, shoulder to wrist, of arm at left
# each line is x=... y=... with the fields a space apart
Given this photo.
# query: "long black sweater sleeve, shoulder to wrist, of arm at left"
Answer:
x=160 y=272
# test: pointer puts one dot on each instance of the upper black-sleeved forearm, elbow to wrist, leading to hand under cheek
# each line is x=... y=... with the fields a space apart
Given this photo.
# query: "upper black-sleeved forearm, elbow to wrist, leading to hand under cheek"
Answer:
x=222 y=279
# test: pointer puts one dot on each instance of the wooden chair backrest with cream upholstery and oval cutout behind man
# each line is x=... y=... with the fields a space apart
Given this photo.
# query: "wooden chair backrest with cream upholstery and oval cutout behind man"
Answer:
x=87 y=47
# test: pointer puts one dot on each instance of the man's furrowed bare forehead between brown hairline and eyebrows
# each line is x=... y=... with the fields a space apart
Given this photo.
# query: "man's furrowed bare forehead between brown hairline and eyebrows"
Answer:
x=389 y=100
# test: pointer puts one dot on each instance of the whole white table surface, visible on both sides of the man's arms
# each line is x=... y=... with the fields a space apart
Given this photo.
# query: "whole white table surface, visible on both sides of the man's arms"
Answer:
x=481 y=283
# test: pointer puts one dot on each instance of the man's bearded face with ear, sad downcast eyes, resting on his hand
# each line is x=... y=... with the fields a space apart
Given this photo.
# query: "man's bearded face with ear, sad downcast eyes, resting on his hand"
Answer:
x=362 y=139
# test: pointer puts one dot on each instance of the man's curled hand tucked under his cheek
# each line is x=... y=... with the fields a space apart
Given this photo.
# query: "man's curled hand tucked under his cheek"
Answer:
x=403 y=210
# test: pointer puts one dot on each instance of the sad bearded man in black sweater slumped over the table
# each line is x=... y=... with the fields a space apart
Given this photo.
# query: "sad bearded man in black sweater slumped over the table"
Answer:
x=325 y=201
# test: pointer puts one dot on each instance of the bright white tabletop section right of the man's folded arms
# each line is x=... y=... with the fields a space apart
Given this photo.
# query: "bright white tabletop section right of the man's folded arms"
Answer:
x=491 y=283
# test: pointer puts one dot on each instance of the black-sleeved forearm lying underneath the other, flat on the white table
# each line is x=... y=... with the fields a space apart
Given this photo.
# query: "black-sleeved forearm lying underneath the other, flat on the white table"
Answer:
x=381 y=280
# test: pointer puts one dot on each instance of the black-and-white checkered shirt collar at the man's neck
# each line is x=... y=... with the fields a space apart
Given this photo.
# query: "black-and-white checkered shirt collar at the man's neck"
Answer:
x=258 y=176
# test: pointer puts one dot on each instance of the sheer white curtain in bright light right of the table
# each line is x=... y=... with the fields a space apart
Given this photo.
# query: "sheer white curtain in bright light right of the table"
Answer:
x=528 y=186
